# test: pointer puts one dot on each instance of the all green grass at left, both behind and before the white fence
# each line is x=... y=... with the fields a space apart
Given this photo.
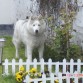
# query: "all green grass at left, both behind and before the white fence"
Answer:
x=9 y=53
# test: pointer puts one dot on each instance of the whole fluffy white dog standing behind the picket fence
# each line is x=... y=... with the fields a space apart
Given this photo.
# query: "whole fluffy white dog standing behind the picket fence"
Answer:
x=32 y=34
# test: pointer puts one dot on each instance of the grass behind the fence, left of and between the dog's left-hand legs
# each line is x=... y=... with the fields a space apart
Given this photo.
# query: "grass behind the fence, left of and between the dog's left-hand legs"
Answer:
x=9 y=50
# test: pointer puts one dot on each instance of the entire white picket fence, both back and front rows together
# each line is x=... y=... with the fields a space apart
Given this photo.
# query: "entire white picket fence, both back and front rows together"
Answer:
x=53 y=67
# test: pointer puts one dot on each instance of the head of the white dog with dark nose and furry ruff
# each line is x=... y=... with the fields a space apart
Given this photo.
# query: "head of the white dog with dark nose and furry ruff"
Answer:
x=36 y=25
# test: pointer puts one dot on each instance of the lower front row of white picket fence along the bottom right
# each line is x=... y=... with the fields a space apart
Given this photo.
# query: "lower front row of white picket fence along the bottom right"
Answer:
x=61 y=79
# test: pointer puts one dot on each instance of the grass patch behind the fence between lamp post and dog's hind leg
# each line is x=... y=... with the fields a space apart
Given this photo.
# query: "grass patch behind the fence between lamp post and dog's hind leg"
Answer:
x=8 y=50
